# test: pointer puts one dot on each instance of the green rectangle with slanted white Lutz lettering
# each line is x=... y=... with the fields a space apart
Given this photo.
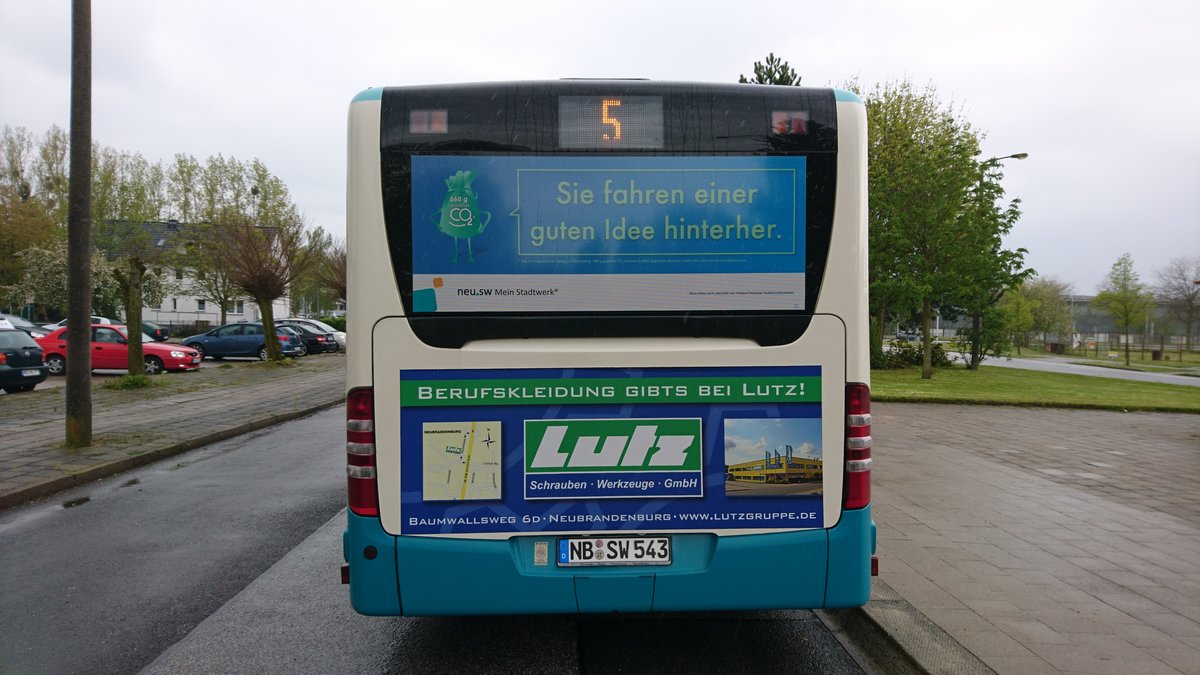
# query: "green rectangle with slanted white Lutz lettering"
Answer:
x=557 y=446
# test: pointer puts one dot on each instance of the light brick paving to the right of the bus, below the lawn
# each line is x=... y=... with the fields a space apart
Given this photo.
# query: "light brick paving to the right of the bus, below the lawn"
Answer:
x=1046 y=541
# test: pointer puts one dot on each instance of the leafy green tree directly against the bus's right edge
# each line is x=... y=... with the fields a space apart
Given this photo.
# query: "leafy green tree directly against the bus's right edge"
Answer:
x=922 y=171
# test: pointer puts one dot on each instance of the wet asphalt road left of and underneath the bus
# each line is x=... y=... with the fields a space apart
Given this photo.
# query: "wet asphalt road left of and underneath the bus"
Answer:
x=226 y=559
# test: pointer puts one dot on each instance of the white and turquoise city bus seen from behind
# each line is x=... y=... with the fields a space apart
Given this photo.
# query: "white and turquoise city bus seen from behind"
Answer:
x=573 y=307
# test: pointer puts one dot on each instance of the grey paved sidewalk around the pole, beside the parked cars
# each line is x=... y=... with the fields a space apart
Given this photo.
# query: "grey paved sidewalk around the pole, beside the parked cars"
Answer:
x=188 y=410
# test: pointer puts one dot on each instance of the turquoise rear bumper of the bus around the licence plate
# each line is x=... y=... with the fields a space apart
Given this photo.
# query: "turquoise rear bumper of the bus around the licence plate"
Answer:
x=427 y=576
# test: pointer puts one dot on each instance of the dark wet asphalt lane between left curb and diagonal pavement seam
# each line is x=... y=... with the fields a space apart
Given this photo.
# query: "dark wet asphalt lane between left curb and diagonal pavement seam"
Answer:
x=104 y=578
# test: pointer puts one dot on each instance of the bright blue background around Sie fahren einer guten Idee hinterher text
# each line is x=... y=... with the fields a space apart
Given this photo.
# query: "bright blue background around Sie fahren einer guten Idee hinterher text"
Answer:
x=782 y=186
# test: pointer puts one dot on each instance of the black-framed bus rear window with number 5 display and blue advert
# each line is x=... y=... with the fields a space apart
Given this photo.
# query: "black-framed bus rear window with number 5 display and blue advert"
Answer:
x=595 y=210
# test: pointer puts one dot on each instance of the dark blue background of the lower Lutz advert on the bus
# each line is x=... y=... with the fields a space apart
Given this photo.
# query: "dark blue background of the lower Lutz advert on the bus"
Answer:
x=513 y=449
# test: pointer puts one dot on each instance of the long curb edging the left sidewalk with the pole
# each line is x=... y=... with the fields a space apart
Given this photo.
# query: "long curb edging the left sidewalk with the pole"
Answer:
x=53 y=486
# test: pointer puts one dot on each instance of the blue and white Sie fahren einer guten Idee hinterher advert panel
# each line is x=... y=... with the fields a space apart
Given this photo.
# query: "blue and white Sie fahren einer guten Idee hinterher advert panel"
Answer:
x=560 y=235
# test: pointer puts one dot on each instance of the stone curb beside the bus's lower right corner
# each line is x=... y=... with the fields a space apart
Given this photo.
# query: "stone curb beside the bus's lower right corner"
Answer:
x=890 y=636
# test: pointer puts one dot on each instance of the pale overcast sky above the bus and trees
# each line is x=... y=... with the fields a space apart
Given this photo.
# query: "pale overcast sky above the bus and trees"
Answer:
x=1105 y=97
